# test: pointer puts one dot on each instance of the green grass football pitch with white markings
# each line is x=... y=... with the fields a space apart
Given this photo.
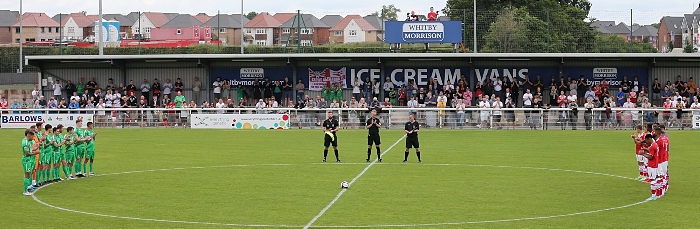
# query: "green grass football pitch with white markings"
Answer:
x=183 y=178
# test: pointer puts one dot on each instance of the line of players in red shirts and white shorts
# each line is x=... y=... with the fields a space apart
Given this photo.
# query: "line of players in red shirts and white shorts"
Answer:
x=652 y=149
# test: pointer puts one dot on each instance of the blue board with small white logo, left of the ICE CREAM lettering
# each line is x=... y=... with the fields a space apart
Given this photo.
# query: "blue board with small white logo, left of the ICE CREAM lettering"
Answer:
x=246 y=76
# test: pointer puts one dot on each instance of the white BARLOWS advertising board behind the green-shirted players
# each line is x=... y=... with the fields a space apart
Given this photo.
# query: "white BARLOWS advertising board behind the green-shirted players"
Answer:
x=23 y=121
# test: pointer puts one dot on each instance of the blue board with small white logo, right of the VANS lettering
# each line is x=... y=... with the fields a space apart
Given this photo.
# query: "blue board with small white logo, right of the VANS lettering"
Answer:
x=613 y=76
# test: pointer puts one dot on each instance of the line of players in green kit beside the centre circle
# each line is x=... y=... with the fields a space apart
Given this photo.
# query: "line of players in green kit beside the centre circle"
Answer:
x=48 y=150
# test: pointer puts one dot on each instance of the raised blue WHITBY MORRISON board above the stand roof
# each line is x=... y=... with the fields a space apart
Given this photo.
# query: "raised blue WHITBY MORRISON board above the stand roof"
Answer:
x=398 y=32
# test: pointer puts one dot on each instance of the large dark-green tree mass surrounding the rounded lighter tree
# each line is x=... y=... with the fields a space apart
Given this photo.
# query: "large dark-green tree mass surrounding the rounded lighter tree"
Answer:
x=560 y=24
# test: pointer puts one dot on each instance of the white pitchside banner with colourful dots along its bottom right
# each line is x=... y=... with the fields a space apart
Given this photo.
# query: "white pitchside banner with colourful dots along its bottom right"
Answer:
x=240 y=121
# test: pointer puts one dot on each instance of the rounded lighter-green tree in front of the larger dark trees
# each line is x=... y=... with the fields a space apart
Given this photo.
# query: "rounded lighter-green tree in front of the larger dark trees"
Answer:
x=506 y=35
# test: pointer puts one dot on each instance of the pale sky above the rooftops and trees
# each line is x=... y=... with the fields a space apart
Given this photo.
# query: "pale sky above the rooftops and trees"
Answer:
x=646 y=11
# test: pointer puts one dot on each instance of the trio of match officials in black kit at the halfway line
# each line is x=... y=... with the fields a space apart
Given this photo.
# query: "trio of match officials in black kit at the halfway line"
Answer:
x=373 y=124
